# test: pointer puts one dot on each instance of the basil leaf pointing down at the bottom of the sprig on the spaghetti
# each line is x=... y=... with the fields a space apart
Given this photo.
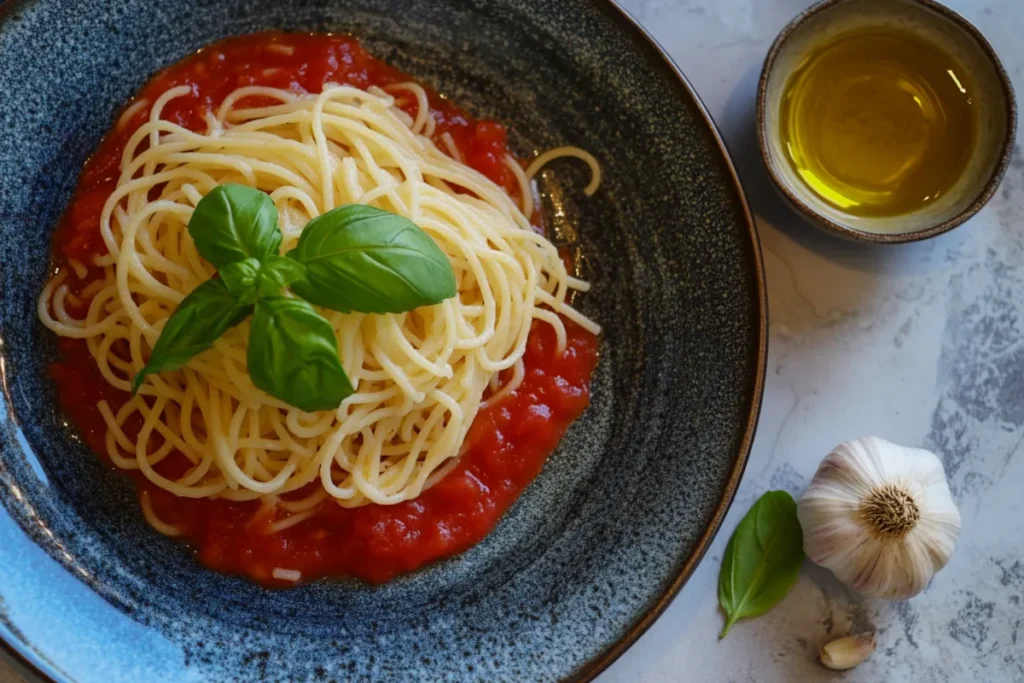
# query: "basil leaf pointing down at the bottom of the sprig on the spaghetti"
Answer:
x=293 y=356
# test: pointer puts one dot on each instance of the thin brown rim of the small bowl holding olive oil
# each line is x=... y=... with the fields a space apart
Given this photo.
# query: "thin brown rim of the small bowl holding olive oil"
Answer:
x=881 y=238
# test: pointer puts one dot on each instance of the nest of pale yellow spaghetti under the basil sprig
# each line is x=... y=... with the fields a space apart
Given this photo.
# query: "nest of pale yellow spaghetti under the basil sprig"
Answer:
x=420 y=377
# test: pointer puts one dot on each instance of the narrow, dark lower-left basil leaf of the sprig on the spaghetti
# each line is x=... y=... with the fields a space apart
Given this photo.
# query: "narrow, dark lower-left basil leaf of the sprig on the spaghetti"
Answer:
x=200 y=320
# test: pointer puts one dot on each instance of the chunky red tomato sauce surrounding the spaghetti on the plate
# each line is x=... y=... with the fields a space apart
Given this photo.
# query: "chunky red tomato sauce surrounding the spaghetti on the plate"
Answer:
x=508 y=443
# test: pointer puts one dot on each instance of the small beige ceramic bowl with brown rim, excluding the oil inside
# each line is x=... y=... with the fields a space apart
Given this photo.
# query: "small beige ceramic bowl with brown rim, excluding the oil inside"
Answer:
x=932 y=22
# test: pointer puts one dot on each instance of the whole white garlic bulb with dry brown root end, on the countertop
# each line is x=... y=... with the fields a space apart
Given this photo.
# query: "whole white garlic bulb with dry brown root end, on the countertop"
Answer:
x=881 y=518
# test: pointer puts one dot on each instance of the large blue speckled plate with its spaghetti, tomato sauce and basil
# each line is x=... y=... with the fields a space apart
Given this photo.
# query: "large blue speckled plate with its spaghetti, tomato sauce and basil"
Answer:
x=360 y=340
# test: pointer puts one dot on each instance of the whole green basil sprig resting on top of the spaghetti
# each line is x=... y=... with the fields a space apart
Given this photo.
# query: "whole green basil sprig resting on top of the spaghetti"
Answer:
x=355 y=259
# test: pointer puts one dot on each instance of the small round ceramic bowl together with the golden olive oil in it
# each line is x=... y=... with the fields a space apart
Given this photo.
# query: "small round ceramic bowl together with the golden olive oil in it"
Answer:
x=885 y=120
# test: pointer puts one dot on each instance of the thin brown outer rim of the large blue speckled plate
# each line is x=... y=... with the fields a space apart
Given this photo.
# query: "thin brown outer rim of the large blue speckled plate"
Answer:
x=29 y=662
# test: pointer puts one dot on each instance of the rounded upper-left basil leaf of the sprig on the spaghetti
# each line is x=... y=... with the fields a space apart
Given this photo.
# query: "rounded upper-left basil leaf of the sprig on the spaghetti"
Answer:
x=235 y=223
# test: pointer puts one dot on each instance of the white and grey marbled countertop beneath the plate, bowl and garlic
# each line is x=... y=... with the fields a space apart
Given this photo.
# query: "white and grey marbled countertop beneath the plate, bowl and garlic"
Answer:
x=921 y=345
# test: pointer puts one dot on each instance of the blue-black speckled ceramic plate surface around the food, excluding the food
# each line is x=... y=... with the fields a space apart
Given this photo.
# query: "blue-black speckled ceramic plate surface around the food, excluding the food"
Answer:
x=622 y=513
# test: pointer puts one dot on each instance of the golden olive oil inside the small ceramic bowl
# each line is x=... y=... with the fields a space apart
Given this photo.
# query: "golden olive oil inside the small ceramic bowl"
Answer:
x=879 y=122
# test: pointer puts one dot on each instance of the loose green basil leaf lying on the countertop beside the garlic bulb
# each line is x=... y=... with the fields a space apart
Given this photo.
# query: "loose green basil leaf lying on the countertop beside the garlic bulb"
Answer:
x=762 y=560
